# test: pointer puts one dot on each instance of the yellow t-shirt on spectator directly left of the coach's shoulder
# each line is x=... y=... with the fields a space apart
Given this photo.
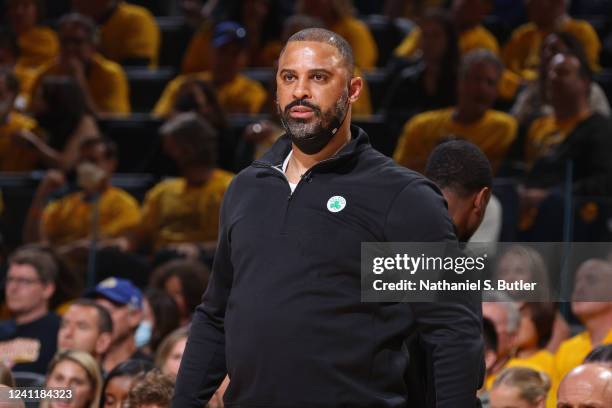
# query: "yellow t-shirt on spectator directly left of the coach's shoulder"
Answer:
x=174 y=212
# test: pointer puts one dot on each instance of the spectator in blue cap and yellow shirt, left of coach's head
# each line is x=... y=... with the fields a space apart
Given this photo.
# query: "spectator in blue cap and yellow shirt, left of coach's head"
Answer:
x=236 y=92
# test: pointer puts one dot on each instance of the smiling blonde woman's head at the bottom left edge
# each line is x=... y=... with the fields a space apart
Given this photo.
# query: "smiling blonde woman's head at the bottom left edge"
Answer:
x=78 y=371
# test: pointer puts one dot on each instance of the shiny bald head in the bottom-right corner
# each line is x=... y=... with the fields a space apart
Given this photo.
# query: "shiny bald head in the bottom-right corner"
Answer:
x=588 y=385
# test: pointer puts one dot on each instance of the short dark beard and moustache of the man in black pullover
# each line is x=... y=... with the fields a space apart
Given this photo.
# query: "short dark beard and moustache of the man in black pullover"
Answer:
x=323 y=122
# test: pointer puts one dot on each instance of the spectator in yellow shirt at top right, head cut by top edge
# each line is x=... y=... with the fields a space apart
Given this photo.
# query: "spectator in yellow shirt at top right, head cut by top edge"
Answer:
x=521 y=53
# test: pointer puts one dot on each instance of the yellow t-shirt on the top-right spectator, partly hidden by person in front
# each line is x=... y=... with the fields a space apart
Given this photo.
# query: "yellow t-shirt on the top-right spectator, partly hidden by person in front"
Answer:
x=522 y=51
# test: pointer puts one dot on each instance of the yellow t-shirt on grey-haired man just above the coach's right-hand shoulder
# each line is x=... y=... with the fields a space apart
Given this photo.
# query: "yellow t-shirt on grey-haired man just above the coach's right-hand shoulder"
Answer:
x=493 y=133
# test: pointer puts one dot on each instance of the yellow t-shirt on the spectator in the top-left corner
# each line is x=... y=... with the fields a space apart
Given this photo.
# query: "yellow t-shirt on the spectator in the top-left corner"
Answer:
x=37 y=47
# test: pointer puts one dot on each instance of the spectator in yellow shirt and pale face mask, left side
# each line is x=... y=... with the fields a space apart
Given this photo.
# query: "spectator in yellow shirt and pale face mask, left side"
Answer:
x=66 y=223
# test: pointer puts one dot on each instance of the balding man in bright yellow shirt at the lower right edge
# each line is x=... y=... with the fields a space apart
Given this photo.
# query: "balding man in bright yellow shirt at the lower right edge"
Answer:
x=591 y=304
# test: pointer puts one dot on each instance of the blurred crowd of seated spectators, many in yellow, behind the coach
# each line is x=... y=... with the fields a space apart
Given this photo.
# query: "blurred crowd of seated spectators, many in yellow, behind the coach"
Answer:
x=122 y=124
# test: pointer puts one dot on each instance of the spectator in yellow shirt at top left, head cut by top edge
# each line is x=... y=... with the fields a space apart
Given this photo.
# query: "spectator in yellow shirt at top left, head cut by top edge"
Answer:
x=129 y=34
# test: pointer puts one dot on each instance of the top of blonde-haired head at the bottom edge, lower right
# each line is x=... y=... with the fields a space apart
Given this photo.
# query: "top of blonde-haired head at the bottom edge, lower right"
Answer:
x=520 y=387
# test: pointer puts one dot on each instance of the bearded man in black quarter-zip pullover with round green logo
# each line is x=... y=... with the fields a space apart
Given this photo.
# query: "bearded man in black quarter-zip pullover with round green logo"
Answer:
x=283 y=315
